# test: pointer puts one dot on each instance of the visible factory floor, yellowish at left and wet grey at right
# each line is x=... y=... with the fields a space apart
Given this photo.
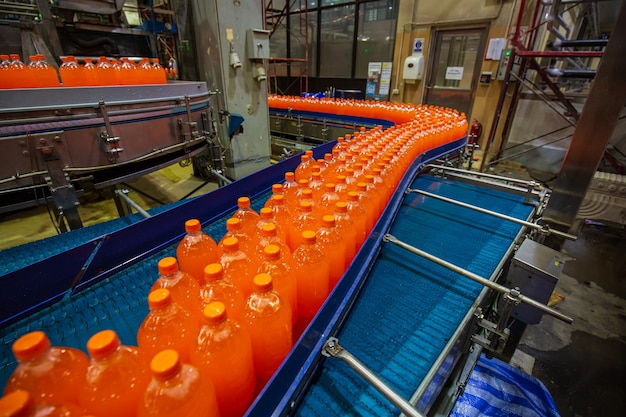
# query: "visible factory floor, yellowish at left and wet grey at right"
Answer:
x=583 y=365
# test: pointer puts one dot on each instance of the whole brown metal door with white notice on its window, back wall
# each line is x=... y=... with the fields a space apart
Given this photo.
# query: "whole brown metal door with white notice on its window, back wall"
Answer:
x=454 y=67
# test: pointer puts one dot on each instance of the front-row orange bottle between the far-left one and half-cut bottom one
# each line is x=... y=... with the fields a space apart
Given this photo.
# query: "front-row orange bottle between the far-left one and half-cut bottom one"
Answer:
x=116 y=379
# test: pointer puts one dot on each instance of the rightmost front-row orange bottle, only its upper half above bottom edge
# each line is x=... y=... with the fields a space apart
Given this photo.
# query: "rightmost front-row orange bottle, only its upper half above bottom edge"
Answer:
x=177 y=389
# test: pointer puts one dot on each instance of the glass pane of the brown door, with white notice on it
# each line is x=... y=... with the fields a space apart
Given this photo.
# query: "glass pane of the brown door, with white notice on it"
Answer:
x=457 y=56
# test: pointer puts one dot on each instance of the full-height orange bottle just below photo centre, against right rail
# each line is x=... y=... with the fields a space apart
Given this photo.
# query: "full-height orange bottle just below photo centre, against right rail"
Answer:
x=312 y=271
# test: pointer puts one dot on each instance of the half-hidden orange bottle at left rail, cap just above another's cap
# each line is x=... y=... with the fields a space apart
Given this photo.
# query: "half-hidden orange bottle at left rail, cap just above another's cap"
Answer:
x=184 y=289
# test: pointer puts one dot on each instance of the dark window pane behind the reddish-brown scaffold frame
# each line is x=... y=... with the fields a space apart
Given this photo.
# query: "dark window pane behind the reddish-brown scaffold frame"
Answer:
x=298 y=23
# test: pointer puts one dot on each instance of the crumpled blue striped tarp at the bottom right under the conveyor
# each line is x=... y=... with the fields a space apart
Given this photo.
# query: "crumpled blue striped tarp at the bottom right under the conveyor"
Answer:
x=496 y=388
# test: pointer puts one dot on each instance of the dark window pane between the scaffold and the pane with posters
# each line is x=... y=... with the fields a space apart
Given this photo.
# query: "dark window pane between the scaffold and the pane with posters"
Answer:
x=337 y=32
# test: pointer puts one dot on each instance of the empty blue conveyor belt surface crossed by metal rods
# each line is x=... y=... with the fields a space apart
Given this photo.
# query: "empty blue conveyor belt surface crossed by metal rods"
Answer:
x=410 y=307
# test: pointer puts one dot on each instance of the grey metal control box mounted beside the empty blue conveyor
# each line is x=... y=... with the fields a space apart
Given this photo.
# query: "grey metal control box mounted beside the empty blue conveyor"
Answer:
x=535 y=270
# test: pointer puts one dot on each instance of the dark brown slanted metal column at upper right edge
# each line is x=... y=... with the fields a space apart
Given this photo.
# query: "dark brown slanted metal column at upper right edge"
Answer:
x=604 y=103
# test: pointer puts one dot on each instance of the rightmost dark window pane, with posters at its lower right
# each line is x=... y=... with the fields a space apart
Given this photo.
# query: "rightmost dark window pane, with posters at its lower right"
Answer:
x=375 y=41
